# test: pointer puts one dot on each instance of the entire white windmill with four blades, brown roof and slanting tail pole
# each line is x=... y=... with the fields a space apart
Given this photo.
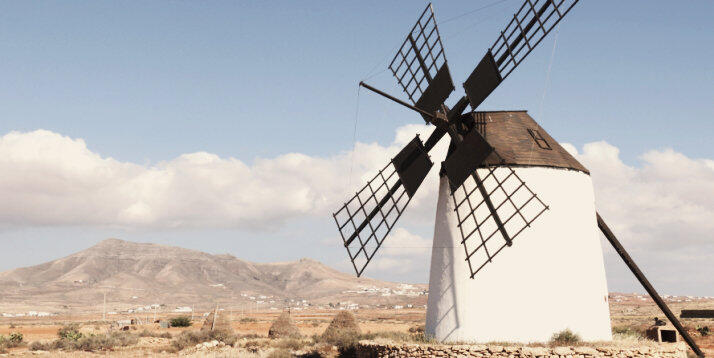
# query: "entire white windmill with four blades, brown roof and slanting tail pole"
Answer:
x=507 y=189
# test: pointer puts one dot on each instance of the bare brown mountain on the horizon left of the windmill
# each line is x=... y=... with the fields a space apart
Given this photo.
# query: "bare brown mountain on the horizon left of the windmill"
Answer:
x=130 y=272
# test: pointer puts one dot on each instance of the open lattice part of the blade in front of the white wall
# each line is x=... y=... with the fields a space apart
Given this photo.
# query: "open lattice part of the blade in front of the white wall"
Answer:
x=492 y=212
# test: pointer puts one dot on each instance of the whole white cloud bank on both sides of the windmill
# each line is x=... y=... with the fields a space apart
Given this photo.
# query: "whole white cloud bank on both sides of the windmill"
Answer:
x=661 y=208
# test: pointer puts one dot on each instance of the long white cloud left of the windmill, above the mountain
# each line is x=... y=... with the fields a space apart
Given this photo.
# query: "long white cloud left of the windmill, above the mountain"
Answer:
x=50 y=179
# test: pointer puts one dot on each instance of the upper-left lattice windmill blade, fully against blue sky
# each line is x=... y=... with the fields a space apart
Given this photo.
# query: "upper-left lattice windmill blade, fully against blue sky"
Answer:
x=420 y=65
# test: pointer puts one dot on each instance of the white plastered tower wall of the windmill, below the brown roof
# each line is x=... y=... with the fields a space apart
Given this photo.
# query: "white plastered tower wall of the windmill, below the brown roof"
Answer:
x=552 y=278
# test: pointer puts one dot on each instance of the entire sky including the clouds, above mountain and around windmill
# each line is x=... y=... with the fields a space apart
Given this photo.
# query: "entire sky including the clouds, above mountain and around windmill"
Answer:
x=238 y=127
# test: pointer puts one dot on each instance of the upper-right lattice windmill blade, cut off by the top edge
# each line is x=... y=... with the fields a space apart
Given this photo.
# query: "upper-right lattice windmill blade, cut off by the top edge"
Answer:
x=529 y=25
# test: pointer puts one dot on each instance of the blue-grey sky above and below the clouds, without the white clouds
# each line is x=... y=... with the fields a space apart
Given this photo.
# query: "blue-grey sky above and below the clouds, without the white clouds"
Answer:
x=146 y=82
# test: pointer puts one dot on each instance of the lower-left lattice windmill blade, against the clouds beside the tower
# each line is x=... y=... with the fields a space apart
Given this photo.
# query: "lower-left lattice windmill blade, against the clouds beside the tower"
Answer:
x=367 y=218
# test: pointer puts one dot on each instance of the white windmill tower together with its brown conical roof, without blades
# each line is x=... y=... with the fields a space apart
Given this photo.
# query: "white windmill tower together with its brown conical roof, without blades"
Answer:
x=553 y=275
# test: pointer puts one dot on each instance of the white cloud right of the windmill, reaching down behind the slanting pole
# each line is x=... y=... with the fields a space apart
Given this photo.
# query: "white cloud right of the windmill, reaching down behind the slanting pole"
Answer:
x=661 y=211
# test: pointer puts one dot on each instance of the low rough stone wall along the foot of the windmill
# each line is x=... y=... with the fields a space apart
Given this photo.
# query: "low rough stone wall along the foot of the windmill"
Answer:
x=369 y=349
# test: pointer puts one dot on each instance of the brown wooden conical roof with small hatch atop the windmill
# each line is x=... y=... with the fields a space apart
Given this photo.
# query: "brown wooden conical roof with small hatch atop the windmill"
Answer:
x=518 y=140
